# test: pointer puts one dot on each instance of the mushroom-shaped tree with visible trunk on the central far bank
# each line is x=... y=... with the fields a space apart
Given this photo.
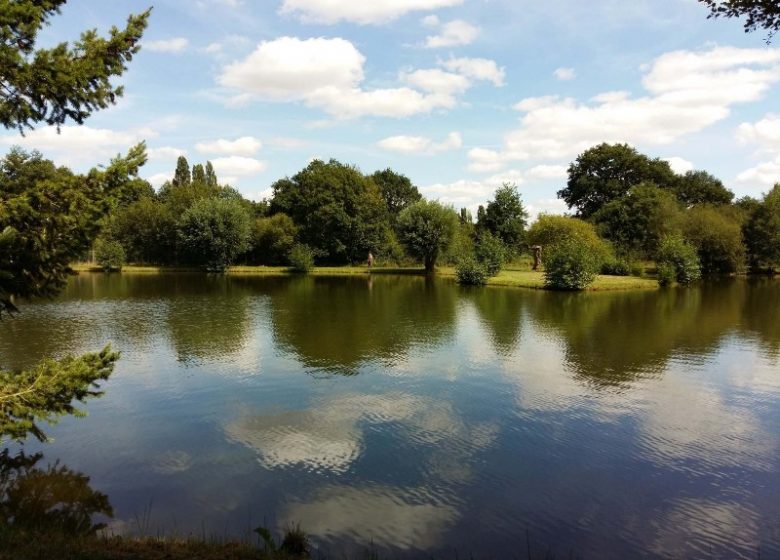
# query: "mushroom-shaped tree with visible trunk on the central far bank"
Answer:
x=427 y=229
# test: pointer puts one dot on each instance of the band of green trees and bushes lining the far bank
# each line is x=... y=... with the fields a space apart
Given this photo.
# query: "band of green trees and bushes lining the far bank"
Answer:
x=625 y=208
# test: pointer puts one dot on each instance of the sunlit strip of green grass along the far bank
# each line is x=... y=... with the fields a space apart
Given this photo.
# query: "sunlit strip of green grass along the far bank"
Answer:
x=510 y=277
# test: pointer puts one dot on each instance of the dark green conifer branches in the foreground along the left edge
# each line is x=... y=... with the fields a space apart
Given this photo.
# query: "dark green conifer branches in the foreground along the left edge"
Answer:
x=49 y=216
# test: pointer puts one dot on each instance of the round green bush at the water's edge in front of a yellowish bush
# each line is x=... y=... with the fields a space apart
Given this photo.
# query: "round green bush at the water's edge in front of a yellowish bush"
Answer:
x=571 y=265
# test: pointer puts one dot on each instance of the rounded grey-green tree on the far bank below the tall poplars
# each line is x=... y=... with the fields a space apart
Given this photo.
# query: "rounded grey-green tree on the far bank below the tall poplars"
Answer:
x=213 y=232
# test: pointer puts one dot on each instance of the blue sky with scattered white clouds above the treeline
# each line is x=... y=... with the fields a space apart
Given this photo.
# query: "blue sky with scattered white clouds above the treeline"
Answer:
x=459 y=95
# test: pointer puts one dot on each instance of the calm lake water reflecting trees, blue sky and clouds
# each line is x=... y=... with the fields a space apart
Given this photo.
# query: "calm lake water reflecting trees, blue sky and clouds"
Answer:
x=426 y=418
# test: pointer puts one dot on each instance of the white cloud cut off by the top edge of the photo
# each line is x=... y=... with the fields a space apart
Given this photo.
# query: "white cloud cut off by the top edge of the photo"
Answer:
x=372 y=12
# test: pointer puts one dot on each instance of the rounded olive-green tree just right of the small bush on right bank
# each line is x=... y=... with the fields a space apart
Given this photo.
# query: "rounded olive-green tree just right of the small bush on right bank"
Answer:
x=716 y=233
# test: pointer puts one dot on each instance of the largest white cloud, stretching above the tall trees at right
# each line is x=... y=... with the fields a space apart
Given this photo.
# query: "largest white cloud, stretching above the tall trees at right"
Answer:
x=687 y=91
